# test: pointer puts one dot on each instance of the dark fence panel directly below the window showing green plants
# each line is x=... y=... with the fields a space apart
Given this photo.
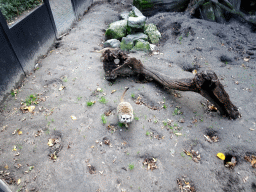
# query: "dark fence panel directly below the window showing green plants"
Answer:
x=32 y=36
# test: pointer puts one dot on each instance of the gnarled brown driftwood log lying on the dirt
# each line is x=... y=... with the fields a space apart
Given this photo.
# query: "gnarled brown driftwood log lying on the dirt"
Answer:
x=206 y=83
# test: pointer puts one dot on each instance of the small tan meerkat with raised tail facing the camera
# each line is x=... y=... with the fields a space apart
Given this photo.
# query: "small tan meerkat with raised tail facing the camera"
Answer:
x=125 y=110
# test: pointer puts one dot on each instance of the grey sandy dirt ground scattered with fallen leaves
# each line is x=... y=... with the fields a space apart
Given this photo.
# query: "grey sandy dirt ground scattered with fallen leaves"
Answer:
x=63 y=144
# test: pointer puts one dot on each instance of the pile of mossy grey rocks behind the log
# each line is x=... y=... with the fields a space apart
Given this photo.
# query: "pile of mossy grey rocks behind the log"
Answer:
x=133 y=32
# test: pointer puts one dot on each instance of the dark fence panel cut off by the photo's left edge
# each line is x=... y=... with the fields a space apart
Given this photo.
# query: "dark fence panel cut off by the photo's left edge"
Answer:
x=10 y=68
